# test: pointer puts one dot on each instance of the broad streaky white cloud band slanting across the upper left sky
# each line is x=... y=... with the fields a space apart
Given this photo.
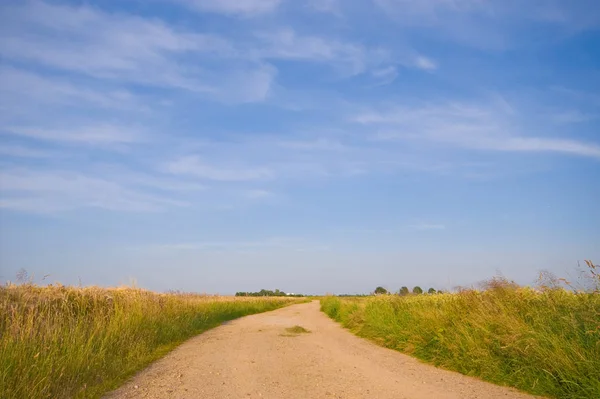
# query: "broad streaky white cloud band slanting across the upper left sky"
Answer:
x=128 y=49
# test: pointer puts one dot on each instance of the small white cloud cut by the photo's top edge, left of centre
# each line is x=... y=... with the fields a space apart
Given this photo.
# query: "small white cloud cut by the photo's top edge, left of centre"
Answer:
x=233 y=7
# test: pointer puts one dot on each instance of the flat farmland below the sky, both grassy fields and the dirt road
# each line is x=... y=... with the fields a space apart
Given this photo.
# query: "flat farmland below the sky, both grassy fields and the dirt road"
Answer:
x=84 y=342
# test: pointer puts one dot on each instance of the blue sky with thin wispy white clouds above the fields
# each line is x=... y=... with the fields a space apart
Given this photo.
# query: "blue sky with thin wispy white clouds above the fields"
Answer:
x=315 y=146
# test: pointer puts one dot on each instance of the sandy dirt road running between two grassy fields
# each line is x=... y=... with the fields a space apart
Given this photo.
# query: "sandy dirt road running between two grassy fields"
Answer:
x=255 y=357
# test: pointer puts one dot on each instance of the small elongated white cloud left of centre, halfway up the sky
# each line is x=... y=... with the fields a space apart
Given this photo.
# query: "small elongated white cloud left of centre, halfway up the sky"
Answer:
x=195 y=166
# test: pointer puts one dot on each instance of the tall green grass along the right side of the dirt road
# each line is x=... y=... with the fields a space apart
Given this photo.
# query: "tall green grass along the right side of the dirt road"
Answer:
x=544 y=342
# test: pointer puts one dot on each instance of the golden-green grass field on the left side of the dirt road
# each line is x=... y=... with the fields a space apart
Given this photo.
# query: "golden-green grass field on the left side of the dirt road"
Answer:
x=64 y=342
